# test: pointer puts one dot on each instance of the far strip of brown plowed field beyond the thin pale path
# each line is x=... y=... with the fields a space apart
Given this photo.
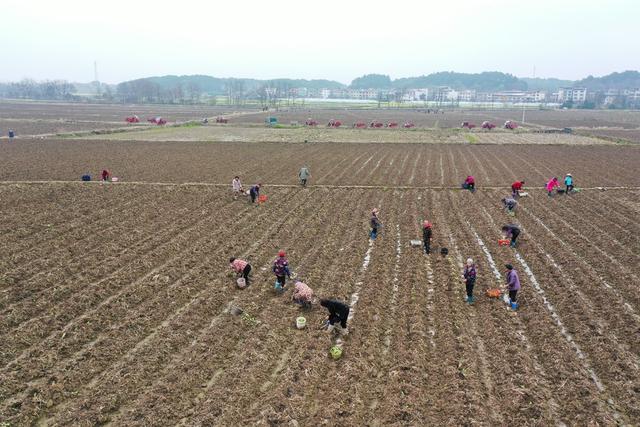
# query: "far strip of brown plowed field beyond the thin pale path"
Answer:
x=334 y=164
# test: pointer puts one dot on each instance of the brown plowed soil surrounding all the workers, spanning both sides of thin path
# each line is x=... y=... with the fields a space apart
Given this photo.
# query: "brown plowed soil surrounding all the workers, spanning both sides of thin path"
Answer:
x=116 y=302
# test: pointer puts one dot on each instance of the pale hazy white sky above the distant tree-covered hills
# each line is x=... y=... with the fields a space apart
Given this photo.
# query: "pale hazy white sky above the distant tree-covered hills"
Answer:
x=334 y=39
